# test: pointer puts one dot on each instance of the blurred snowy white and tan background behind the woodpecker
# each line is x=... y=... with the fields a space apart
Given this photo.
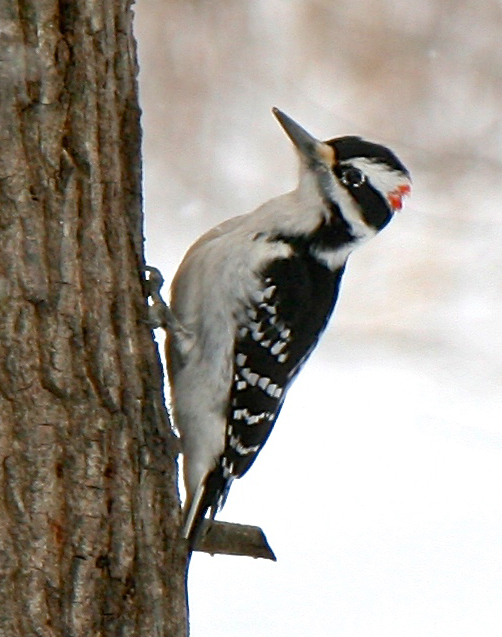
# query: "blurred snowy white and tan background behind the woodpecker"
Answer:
x=379 y=489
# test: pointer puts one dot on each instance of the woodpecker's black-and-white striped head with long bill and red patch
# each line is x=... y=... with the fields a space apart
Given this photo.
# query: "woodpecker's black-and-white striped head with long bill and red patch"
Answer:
x=364 y=180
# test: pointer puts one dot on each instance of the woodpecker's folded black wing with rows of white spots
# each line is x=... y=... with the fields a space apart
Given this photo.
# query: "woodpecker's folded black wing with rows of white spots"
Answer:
x=280 y=330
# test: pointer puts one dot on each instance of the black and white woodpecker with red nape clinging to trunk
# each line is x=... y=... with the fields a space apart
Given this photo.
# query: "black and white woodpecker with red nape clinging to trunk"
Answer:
x=252 y=297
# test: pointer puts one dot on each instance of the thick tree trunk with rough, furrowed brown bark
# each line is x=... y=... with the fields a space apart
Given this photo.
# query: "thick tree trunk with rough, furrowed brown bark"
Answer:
x=89 y=509
